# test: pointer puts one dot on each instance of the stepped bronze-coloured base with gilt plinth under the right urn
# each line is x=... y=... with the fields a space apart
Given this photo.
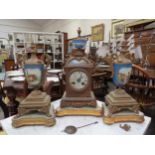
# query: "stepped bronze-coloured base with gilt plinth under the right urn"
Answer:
x=121 y=107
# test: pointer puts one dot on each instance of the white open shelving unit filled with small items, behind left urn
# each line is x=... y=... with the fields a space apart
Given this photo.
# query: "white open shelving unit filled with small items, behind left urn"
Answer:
x=49 y=45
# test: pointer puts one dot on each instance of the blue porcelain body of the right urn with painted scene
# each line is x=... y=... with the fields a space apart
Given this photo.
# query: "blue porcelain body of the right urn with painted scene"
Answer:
x=122 y=73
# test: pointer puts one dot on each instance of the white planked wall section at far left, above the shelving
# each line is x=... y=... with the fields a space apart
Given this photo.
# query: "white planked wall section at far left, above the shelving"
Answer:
x=10 y=25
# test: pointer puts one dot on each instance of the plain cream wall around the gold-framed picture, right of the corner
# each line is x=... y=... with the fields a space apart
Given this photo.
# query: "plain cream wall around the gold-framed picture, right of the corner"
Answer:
x=71 y=25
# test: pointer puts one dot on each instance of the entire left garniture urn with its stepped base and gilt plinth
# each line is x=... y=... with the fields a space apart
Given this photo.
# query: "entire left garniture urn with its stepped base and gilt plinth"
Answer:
x=36 y=108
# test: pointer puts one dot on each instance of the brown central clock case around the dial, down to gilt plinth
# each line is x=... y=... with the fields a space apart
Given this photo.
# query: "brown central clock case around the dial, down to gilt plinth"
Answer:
x=76 y=102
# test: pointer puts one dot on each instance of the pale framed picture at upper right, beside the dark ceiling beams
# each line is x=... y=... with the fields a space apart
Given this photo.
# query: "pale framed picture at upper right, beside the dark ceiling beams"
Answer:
x=117 y=28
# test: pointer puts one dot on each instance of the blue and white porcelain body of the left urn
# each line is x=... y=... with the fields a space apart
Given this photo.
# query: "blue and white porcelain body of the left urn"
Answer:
x=34 y=74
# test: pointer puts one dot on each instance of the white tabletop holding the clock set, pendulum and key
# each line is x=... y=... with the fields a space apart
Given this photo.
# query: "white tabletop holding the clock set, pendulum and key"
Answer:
x=62 y=122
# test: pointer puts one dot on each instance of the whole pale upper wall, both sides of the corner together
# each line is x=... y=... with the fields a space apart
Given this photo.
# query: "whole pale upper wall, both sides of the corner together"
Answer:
x=66 y=25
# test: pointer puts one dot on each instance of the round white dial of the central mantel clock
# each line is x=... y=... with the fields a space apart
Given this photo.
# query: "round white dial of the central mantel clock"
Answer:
x=78 y=80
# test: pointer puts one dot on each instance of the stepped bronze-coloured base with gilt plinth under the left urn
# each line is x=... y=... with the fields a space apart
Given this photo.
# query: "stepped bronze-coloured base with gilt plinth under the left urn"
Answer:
x=35 y=109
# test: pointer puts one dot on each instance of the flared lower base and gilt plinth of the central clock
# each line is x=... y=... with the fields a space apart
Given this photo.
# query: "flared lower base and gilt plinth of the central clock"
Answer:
x=79 y=107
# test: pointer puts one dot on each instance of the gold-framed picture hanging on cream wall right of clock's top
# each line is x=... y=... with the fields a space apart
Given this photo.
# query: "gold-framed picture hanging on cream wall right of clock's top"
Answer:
x=98 y=32
